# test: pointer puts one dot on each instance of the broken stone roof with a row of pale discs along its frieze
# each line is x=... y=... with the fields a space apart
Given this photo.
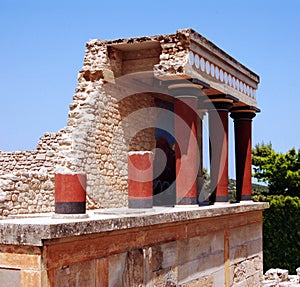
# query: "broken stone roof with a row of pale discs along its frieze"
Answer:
x=188 y=54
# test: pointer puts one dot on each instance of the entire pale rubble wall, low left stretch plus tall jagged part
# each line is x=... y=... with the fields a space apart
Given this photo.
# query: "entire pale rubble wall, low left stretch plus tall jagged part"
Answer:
x=103 y=125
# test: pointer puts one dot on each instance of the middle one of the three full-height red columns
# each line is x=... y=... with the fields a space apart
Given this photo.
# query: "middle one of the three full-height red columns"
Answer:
x=218 y=135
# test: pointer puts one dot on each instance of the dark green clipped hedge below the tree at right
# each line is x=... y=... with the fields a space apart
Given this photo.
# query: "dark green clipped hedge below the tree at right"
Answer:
x=281 y=225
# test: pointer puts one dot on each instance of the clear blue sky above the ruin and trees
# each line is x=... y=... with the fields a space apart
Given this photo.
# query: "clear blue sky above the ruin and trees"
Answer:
x=43 y=43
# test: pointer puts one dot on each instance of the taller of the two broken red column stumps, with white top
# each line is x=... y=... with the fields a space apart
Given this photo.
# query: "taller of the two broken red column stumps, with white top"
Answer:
x=140 y=179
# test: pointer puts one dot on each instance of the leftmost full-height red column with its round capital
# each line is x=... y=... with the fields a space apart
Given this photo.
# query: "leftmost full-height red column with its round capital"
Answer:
x=187 y=154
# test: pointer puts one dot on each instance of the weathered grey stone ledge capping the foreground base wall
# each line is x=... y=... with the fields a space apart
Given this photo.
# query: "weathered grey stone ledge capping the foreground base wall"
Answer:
x=34 y=229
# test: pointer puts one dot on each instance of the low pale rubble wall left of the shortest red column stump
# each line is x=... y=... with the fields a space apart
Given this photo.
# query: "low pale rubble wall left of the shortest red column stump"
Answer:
x=27 y=177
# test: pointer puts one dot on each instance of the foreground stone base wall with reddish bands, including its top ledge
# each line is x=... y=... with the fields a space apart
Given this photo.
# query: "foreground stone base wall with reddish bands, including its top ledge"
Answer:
x=219 y=246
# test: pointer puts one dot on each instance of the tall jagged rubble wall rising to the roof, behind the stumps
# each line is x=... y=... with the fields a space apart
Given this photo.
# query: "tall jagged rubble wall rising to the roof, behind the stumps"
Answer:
x=103 y=130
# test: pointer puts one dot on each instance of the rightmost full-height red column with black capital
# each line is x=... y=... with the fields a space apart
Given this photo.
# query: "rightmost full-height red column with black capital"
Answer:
x=243 y=153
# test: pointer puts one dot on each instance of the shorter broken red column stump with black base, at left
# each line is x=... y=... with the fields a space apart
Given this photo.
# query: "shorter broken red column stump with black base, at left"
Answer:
x=70 y=193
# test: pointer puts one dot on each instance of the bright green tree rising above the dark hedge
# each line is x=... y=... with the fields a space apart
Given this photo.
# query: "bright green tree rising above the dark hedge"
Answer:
x=281 y=172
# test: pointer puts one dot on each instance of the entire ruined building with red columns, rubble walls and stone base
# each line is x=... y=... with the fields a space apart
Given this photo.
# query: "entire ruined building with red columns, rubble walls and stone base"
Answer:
x=130 y=161
